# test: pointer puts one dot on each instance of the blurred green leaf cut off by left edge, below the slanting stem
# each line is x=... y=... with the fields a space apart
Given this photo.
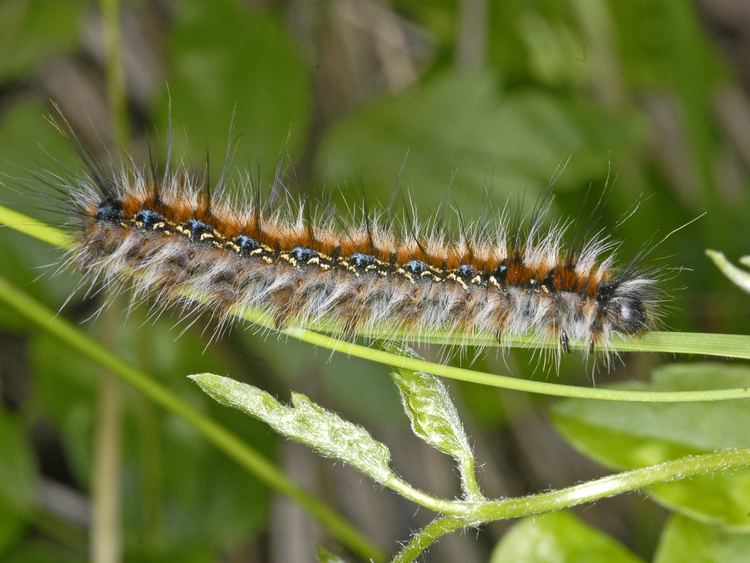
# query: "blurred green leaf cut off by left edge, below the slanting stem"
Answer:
x=18 y=477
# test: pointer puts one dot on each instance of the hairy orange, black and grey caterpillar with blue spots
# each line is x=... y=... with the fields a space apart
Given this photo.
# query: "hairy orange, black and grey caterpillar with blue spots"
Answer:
x=174 y=235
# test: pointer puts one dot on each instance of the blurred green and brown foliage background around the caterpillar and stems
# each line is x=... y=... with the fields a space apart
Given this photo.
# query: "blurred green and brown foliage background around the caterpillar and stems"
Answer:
x=651 y=97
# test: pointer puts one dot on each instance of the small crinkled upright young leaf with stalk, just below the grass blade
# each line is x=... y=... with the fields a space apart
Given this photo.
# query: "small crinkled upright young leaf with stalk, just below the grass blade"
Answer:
x=435 y=420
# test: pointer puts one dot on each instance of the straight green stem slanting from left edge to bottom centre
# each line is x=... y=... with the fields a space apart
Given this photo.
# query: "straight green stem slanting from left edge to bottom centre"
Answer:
x=220 y=437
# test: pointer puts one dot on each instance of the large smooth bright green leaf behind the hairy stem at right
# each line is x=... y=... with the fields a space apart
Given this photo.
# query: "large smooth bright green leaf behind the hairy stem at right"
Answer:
x=624 y=436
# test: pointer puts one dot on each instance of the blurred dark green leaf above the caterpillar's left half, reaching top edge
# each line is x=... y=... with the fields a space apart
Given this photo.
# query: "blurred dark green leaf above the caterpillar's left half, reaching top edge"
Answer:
x=226 y=59
